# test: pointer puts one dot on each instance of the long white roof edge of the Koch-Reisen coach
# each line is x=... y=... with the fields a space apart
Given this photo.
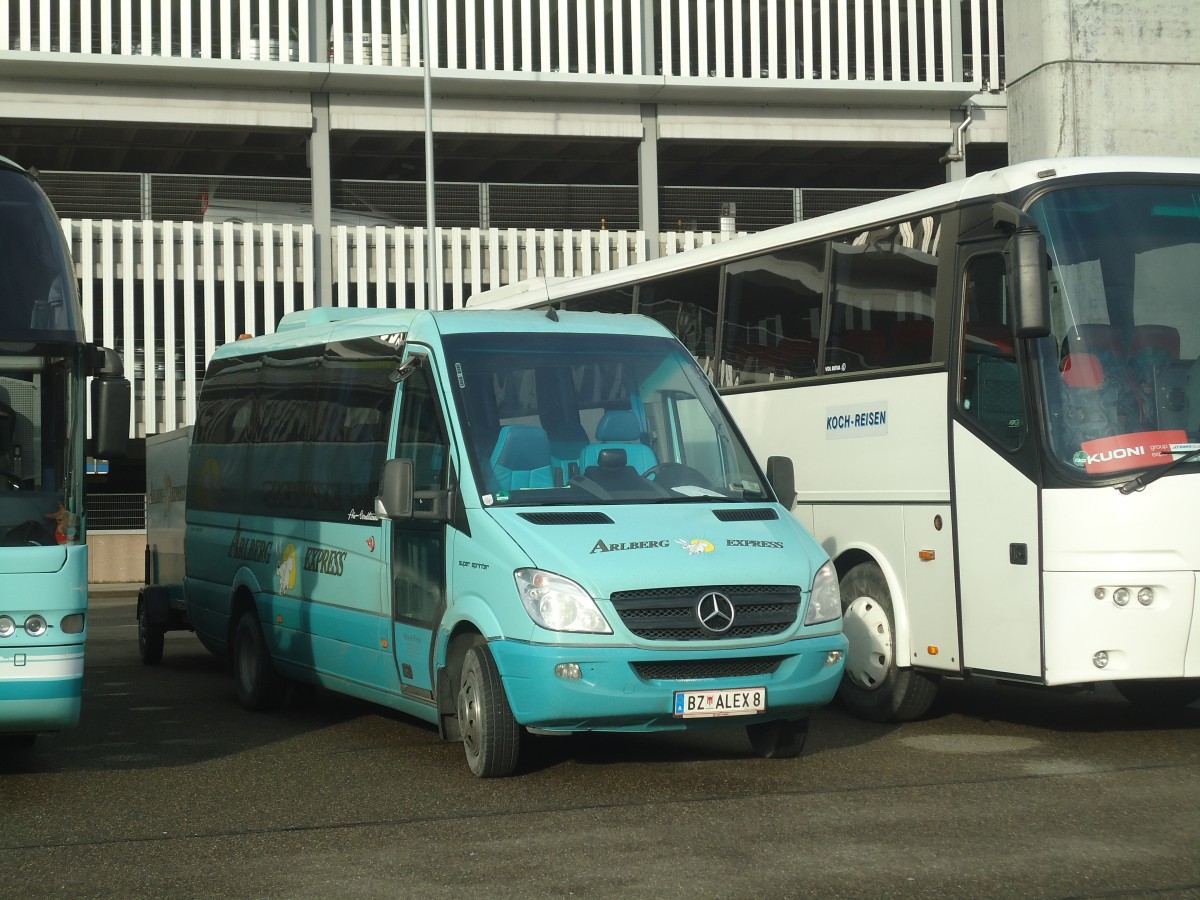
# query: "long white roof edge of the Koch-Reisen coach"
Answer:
x=997 y=183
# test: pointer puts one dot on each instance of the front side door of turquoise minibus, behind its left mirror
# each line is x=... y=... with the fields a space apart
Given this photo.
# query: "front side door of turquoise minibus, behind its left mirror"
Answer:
x=418 y=547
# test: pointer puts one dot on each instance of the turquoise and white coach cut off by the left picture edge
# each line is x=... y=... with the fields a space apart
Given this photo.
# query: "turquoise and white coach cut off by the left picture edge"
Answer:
x=45 y=363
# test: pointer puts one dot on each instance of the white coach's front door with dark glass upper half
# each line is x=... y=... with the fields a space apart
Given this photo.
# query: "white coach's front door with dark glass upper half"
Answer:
x=995 y=493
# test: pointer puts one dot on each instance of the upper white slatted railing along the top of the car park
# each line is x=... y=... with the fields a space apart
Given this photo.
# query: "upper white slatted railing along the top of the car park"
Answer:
x=909 y=41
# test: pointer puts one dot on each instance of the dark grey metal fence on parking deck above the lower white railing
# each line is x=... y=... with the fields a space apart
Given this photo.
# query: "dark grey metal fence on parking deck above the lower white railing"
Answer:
x=283 y=201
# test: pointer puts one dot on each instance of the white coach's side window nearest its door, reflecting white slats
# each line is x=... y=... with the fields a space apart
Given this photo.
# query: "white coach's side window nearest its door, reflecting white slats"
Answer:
x=885 y=283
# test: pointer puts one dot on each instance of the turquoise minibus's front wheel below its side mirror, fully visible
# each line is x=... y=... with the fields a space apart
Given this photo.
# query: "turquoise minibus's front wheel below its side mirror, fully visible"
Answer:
x=490 y=735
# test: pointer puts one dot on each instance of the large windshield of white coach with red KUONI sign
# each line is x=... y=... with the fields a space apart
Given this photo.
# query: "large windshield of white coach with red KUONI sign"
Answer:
x=1120 y=371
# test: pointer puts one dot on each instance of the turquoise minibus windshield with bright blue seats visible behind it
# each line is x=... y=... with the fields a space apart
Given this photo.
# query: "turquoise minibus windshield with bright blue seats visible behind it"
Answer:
x=595 y=419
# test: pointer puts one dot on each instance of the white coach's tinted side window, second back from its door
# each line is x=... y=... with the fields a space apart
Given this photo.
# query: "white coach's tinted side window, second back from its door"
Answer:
x=773 y=316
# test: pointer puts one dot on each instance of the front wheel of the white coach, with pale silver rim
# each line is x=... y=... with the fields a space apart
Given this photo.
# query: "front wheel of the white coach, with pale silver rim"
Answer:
x=874 y=687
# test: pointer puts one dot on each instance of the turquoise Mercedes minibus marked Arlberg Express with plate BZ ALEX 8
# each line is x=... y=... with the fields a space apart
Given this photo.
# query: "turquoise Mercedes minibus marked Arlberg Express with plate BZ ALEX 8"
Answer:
x=501 y=523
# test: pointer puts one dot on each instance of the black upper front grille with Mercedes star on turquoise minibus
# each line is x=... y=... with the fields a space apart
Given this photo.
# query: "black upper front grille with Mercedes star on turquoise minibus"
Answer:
x=670 y=614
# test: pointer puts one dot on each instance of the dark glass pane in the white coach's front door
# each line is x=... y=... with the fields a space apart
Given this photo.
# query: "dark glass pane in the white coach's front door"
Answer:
x=991 y=386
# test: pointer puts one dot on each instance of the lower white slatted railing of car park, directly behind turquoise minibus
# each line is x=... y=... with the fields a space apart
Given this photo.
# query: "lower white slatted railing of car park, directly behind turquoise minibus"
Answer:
x=166 y=295
